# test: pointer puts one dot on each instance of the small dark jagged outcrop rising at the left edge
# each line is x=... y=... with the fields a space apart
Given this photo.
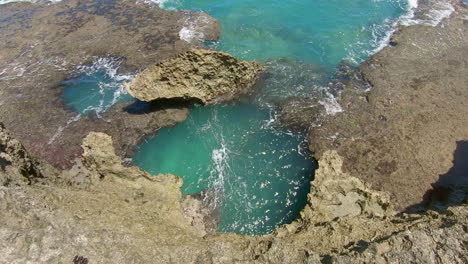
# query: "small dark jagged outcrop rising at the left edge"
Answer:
x=16 y=165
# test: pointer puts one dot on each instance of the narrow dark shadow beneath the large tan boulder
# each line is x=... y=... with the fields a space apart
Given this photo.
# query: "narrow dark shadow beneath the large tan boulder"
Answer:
x=139 y=107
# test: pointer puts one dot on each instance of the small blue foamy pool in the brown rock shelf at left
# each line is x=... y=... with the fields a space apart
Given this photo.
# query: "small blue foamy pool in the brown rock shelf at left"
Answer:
x=95 y=88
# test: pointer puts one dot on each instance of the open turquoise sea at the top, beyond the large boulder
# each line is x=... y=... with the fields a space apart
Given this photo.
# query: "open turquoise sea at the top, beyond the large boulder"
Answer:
x=319 y=31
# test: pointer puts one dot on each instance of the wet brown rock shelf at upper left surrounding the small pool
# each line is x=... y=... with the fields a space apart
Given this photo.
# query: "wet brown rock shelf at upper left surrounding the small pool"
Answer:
x=42 y=45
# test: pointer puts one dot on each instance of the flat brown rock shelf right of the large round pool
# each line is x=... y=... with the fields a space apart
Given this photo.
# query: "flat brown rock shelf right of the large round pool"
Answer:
x=403 y=135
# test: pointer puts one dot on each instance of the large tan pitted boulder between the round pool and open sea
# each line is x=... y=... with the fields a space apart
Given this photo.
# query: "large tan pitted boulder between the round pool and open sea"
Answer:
x=207 y=76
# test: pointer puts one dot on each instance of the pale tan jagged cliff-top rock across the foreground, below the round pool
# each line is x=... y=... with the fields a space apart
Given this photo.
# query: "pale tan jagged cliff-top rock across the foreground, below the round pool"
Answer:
x=124 y=215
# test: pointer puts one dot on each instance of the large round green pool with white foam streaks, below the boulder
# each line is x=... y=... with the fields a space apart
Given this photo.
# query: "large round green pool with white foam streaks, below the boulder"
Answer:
x=257 y=174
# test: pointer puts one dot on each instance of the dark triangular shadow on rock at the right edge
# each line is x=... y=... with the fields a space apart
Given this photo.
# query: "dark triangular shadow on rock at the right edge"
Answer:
x=452 y=188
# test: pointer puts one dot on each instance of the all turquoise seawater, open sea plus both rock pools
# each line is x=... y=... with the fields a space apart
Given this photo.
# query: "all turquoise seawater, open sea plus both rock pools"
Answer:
x=255 y=173
